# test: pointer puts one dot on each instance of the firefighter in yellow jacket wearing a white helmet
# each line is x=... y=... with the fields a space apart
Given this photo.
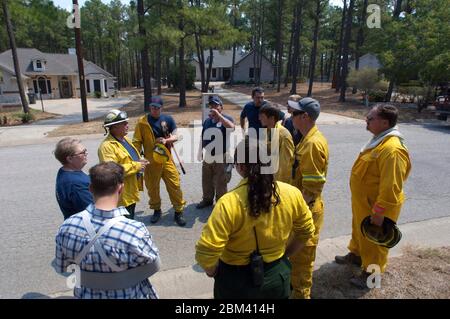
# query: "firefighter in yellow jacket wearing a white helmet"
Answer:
x=118 y=148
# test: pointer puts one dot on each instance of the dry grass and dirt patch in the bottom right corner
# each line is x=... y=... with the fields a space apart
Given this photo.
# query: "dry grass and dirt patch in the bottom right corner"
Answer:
x=422 y=273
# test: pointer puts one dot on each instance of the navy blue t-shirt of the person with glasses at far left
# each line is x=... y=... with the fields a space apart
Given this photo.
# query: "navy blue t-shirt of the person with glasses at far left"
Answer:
x=72 y=192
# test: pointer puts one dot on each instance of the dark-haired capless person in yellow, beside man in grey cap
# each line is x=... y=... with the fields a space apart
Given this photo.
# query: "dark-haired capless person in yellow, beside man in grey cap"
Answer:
x=268 y=116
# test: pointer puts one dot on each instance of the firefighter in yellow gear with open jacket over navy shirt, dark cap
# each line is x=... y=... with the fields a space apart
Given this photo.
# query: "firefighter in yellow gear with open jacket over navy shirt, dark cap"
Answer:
x=155 y=133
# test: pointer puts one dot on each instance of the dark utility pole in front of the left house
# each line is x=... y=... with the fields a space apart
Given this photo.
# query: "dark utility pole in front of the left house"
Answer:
x=79 y=49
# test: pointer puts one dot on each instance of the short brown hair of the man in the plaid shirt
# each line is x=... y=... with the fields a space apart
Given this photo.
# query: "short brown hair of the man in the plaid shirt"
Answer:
x=105 y=177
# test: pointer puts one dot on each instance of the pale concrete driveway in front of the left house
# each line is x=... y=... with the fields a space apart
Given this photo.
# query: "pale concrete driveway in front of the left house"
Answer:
x=69 y=111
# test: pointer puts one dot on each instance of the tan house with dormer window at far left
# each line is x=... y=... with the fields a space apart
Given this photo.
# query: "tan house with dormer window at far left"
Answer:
x=53 y=75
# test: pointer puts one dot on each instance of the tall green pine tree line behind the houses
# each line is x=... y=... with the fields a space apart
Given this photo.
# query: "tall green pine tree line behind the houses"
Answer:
x=305 y=40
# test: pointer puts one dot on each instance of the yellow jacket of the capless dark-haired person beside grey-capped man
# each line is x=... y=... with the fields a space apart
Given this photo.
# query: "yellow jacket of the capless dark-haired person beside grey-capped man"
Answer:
x=286 y=154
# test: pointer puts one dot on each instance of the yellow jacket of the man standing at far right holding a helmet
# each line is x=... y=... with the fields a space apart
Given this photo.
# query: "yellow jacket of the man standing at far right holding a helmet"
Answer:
x=377 y=179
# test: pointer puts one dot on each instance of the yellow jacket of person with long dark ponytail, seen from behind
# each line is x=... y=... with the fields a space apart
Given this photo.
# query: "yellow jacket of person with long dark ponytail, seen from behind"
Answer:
x=229 y=235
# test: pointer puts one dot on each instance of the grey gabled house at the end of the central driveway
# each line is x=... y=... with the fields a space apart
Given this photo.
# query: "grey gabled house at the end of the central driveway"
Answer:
x=244 y=68
